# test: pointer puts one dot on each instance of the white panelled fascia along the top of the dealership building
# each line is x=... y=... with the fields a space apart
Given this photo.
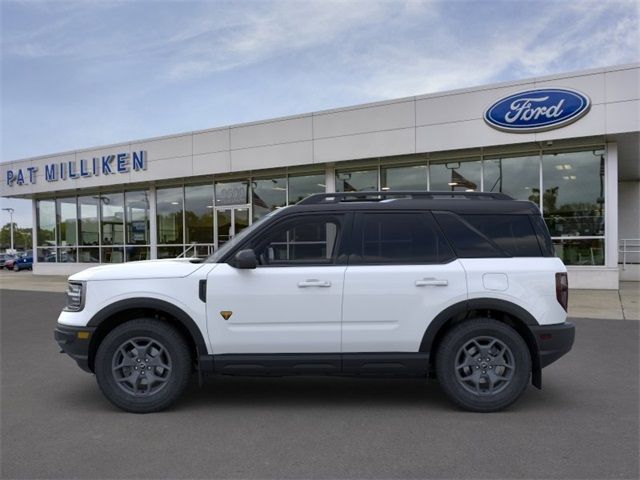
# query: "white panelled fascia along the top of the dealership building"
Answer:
x=428 y=123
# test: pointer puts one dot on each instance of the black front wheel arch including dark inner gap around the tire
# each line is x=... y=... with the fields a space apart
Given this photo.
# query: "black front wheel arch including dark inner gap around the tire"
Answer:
x=120 y=312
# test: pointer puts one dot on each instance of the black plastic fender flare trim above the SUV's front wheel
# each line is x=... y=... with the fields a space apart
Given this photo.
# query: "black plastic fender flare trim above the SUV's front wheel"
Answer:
x=155 y=304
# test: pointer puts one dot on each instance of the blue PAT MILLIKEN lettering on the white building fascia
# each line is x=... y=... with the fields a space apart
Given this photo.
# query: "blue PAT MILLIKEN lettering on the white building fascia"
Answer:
x=114 y=164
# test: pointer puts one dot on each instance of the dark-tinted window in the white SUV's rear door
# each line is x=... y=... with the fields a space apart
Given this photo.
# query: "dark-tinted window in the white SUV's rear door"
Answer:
x=395 y=237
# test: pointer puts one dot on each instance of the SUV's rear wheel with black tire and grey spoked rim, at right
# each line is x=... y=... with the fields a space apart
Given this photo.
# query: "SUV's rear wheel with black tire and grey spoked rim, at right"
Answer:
x=471 y=381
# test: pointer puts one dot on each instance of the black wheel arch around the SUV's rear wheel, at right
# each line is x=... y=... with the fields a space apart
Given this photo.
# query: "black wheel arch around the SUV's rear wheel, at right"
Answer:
x=506 y=312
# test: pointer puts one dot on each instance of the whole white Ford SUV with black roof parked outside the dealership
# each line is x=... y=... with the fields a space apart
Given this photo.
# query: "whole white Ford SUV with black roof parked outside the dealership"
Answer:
x=461 y=286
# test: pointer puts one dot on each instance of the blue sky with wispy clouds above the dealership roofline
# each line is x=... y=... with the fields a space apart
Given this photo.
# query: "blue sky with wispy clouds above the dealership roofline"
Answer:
x=77 y=74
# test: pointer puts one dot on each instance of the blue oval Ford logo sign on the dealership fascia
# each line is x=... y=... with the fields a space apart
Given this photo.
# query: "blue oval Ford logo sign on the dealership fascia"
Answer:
x=537 y=110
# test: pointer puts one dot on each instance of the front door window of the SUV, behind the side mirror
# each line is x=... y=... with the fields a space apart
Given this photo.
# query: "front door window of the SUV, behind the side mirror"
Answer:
x=308 y=240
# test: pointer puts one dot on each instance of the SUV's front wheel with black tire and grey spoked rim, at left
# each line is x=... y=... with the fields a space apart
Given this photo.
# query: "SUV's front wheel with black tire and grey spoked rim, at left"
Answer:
x=136 y=351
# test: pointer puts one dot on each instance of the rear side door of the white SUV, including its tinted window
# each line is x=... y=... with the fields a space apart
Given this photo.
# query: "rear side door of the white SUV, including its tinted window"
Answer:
x=401 y=274
